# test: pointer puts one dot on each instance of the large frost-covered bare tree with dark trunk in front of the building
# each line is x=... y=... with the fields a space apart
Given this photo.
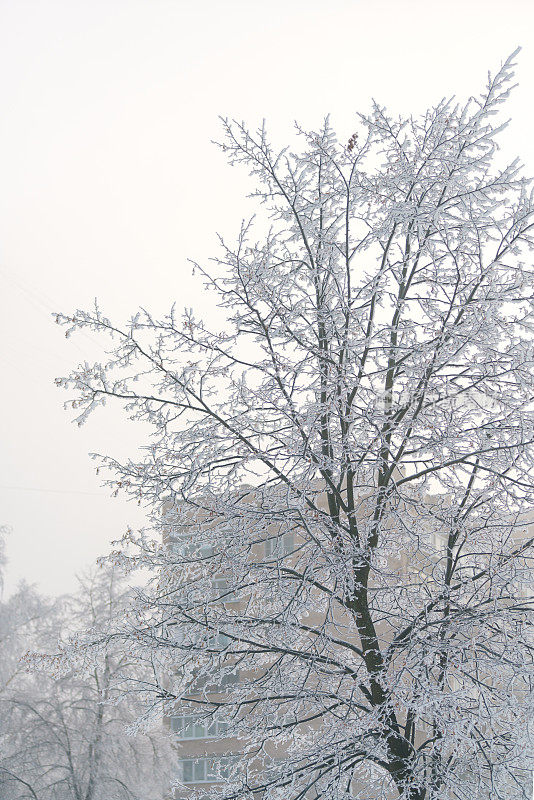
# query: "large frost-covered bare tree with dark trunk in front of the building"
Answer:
x=340 y=477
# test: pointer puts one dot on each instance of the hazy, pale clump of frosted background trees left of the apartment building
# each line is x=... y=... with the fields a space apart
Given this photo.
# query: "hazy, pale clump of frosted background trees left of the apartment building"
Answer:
x=63 y=724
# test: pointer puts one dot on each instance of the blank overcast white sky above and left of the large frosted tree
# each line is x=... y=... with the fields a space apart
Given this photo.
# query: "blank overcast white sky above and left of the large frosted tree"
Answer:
x=109 y=183
